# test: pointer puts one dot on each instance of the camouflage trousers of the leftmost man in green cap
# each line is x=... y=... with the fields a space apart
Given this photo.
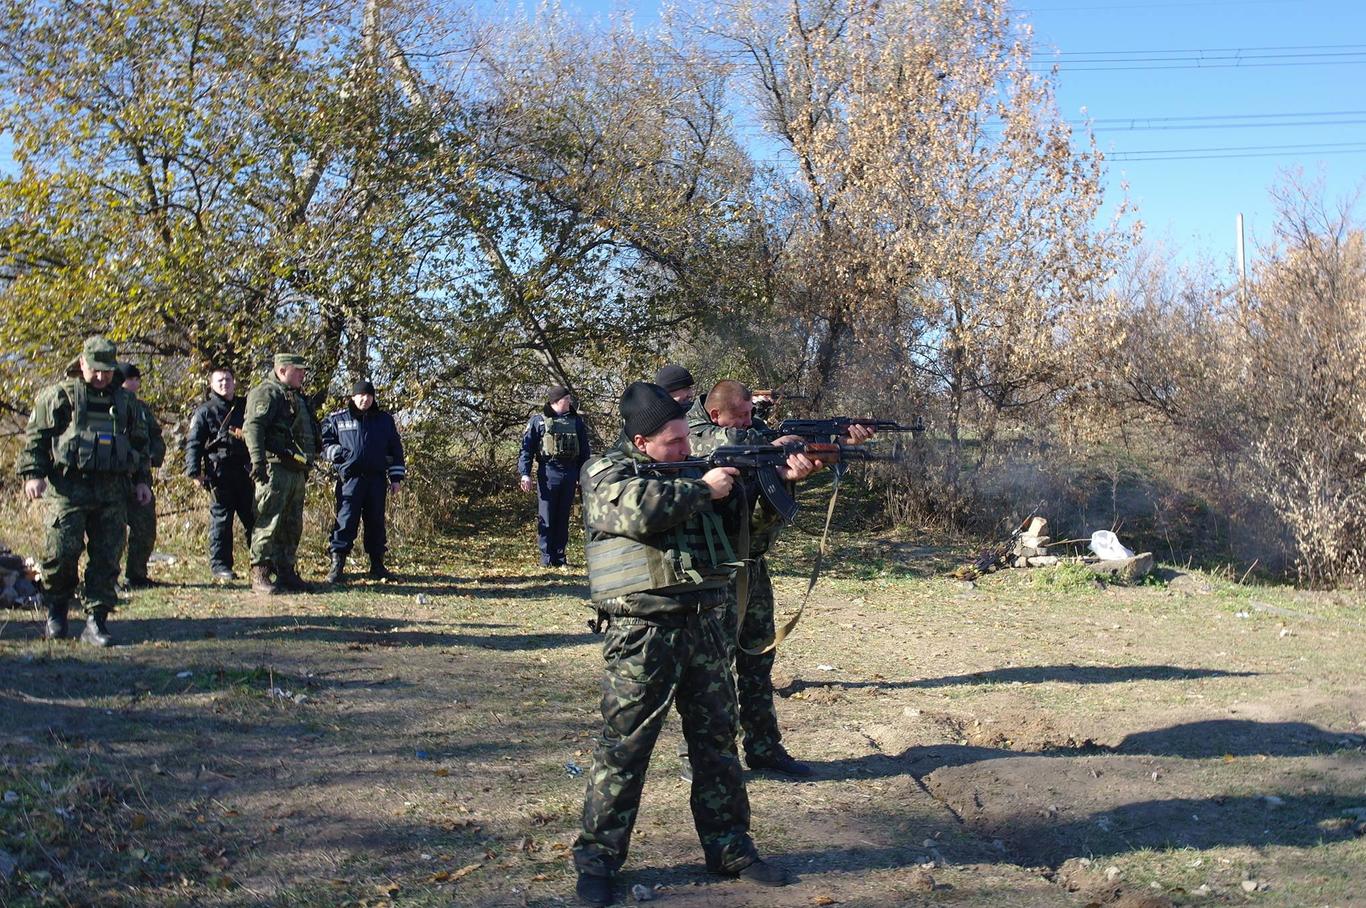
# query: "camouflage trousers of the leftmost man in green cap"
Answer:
x=87 y=515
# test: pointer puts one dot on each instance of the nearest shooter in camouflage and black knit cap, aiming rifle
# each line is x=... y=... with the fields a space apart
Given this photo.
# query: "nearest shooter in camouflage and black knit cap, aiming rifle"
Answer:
x=659 y=571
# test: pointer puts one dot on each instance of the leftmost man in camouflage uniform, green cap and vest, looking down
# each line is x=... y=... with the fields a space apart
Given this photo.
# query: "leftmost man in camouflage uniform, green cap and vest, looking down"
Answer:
x=85 y=450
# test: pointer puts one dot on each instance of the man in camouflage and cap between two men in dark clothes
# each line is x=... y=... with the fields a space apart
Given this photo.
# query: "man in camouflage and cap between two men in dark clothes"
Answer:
x=283 y=442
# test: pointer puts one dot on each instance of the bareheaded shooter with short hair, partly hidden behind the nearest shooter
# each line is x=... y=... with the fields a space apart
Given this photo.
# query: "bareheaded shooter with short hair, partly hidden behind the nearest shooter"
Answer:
x=721 y=424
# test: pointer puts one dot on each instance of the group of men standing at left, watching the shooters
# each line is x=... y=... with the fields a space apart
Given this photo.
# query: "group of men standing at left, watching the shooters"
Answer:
x=92 y=444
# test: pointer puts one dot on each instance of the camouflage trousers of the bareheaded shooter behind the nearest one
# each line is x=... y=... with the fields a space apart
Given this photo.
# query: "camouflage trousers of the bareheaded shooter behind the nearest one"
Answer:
x=755 y=674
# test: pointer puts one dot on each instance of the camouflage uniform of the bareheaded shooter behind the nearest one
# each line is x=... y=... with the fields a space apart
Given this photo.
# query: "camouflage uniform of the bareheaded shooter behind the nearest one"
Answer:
x=753 y=674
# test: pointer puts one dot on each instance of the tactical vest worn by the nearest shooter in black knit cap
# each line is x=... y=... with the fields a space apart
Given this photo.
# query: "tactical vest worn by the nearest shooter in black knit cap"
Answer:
x=692 y=556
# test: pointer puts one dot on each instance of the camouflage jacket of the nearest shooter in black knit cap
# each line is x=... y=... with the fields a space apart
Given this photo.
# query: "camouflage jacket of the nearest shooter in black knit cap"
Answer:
x=671 y=514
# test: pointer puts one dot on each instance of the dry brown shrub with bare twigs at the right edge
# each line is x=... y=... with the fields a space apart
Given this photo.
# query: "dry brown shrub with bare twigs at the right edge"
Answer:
x=1259 y=393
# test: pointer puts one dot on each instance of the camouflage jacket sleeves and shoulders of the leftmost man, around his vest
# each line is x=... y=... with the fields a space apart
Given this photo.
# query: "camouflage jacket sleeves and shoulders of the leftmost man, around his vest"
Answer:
x=53 y=416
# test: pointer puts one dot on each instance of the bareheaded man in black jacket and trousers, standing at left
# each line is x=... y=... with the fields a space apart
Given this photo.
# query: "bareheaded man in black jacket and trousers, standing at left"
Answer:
x=217 y=458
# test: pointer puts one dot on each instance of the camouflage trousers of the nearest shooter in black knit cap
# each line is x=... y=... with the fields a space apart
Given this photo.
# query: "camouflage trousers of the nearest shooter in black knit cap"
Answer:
x=650 y=666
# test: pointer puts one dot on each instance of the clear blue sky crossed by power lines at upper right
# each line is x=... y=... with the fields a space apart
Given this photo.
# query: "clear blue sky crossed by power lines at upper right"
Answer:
x=1200 y=106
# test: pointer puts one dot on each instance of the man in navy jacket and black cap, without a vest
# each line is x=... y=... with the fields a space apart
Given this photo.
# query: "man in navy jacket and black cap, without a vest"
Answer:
x=365 y=447
